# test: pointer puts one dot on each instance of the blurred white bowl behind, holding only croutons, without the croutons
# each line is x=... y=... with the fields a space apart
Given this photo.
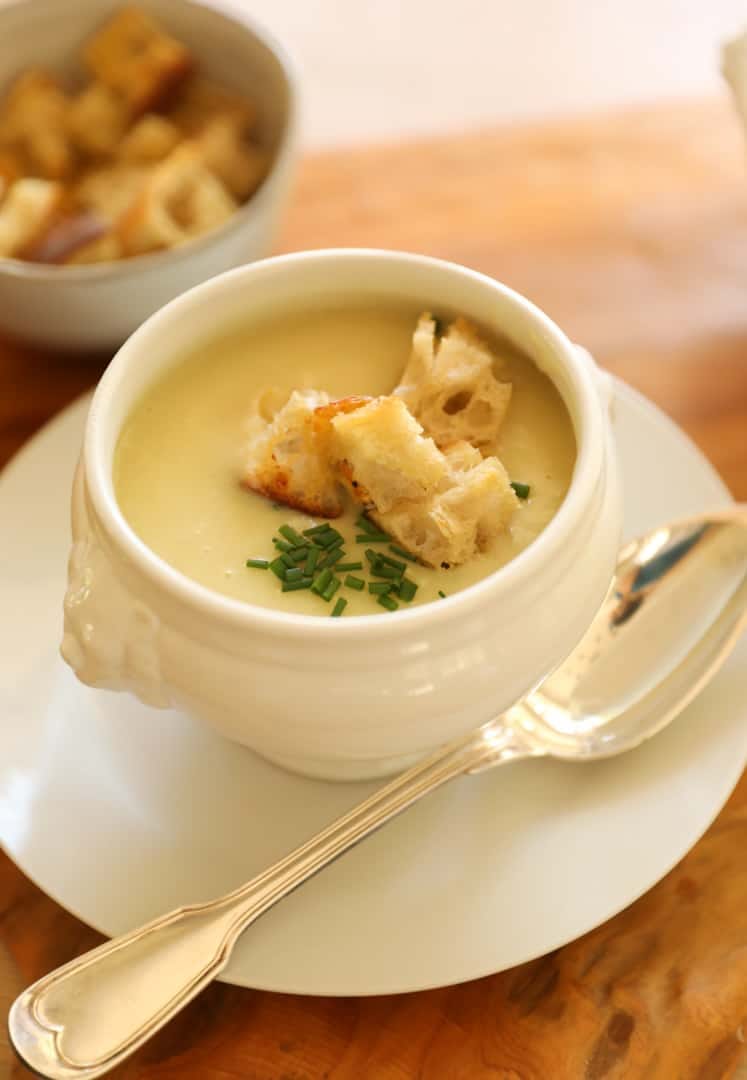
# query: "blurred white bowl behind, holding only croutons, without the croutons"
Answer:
x=99 y=306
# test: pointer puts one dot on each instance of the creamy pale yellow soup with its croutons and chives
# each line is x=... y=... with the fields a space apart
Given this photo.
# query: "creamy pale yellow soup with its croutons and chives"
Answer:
x=346 y=462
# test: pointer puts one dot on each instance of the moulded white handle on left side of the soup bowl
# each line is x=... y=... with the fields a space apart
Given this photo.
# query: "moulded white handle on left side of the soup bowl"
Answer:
x=112 y=640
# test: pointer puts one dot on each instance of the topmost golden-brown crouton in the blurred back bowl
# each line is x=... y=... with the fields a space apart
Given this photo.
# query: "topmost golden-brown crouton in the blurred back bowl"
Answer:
x=138 y=60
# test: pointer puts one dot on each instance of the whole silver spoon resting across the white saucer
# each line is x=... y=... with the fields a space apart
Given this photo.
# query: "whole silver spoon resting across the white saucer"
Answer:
x=675 y=610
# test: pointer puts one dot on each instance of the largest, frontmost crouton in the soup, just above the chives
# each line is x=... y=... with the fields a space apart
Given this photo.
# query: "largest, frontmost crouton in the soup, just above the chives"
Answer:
x=443 y=507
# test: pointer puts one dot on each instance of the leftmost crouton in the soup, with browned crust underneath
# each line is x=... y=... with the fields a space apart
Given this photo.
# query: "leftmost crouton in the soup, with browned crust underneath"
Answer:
x=287 y=457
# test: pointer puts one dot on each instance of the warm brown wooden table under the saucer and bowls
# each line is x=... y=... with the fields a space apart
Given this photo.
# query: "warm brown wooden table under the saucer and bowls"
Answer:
x=631 y=231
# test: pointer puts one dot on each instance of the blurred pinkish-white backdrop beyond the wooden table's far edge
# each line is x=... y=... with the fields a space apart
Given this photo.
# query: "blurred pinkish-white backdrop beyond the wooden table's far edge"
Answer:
x=397 y=69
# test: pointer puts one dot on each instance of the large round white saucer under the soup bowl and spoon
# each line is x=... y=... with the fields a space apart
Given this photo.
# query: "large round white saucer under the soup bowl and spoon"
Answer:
x=120 y=813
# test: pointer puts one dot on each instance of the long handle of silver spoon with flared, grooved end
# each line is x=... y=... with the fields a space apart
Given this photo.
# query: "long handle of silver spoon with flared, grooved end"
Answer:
x=86 y=1018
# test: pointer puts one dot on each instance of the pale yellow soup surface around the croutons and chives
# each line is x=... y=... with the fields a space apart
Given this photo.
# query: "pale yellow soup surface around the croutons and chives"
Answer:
x=178 y=462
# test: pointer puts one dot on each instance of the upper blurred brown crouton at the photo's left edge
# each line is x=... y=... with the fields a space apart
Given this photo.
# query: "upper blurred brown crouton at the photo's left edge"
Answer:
x=33 y=123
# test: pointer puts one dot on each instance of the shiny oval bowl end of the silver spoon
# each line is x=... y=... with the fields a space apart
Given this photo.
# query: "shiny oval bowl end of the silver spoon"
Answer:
x=674 y=612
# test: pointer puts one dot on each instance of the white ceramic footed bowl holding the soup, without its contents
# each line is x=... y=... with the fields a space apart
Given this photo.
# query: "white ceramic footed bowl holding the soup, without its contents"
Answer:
x=337 y=698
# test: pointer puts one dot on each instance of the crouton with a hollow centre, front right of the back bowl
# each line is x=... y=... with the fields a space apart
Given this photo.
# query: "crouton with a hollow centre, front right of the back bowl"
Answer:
x=182 y=200
